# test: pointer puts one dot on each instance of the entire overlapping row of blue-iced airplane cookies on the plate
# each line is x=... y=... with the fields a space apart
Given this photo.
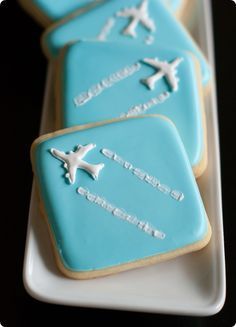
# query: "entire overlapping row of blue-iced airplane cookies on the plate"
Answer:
x=117 y=179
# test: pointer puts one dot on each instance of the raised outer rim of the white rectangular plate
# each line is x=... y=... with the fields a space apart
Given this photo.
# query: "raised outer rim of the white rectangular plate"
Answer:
x=216 y=303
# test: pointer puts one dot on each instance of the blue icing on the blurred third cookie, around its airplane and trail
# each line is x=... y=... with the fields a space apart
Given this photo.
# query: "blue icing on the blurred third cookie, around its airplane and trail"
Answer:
x=89 y=25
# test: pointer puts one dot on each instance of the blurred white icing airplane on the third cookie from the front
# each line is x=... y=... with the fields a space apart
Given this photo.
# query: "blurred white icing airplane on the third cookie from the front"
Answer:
x=137 y=15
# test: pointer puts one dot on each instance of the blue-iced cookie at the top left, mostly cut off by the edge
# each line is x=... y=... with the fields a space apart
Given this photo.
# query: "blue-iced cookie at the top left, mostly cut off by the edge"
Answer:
x=48 y=11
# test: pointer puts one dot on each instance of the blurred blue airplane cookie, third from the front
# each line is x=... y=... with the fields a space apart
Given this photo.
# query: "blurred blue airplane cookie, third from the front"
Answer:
x=133 y=21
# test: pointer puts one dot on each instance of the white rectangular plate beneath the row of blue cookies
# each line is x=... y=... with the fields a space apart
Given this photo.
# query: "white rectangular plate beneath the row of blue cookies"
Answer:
x=191 y=285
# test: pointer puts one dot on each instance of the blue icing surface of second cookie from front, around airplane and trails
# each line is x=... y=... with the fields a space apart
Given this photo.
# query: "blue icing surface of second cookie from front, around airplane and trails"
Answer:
x=79 y=72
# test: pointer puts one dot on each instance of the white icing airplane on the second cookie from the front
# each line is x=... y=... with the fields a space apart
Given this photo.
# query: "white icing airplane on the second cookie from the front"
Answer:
x=165 y=69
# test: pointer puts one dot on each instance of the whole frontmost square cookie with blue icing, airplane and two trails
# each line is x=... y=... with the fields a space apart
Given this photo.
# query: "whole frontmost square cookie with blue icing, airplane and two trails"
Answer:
x=143 y=206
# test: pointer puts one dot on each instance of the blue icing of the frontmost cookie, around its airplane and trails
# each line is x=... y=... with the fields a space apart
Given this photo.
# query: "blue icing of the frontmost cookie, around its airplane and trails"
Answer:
x=87 y=236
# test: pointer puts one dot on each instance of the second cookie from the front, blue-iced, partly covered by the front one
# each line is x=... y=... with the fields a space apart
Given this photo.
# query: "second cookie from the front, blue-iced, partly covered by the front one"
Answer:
x=115 y=83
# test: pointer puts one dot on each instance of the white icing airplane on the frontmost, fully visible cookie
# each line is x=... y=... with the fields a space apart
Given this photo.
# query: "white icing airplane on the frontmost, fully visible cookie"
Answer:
x=73 y=161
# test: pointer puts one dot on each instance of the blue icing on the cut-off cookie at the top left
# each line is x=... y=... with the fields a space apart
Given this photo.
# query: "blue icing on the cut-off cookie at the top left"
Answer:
x=57 y=9
